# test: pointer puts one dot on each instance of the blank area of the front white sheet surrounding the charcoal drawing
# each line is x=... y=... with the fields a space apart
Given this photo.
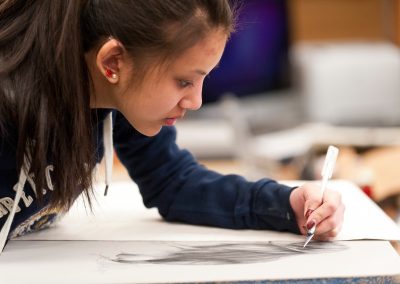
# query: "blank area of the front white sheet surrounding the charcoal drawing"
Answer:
x=91 y=262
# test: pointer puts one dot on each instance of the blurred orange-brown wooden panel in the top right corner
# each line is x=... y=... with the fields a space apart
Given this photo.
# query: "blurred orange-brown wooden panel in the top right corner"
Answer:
x=328 y=20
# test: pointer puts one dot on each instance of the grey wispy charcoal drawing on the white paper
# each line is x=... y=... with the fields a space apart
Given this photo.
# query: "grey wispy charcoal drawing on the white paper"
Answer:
x=211 y=253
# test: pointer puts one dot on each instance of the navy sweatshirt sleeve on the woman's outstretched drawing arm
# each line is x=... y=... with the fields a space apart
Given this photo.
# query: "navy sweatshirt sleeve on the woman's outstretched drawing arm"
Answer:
x=170 y=179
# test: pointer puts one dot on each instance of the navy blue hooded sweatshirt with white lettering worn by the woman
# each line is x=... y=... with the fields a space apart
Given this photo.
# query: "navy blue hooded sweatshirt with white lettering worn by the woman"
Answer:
x=168 y=178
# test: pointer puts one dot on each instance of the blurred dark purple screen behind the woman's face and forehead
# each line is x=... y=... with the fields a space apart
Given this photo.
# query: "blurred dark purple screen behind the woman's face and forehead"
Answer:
x=256 y=57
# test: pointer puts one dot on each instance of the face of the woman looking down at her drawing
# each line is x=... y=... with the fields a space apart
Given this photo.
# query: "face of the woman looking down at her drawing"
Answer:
x=164 y=97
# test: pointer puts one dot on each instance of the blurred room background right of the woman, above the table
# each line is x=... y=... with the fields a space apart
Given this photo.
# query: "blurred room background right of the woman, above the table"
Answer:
x=297 y=76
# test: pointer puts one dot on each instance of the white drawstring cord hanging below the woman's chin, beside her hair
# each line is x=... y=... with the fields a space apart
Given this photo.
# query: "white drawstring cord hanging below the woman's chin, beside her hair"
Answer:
x=108 y=149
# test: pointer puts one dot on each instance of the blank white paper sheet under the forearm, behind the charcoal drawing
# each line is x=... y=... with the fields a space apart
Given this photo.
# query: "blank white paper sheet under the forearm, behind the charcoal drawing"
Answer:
x=122 y=216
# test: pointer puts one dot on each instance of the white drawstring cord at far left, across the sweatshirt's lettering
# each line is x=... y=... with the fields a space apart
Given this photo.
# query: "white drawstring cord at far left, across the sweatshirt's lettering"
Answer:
x=20 y=187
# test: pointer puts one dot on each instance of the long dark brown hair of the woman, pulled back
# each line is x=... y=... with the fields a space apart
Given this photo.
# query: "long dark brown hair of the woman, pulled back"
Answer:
x=45 y=84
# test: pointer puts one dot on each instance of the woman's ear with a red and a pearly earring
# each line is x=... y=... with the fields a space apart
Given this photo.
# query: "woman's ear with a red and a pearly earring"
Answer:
x=109 y=60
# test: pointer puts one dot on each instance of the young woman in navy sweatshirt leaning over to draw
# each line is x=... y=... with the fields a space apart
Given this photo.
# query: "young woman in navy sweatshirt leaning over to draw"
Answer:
x=75 y=71
